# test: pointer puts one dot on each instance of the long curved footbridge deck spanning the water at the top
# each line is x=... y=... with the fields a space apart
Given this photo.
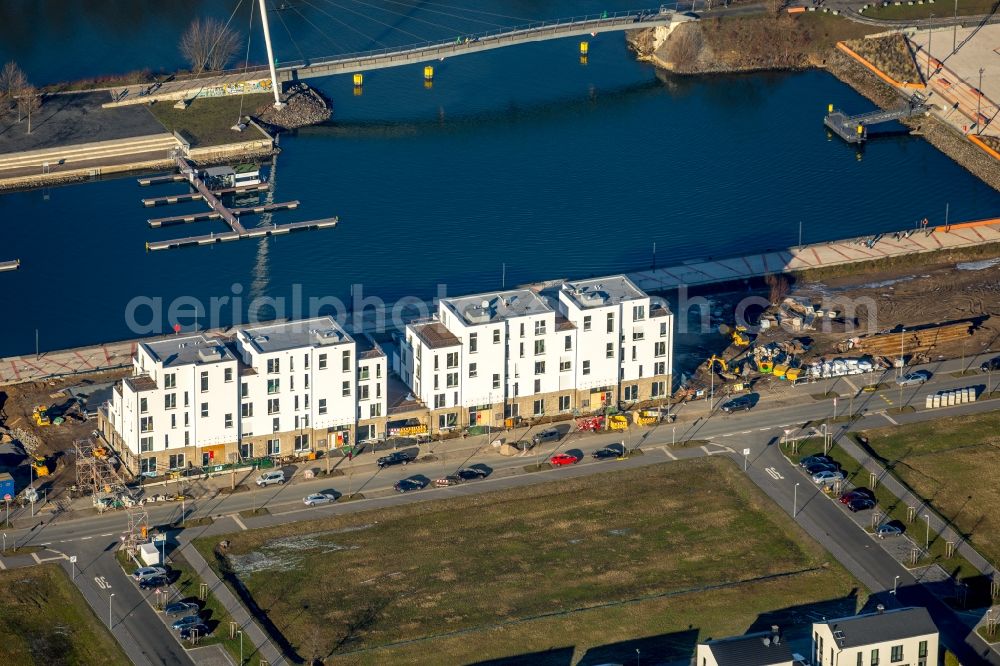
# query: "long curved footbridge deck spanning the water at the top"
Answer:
x=603 y=18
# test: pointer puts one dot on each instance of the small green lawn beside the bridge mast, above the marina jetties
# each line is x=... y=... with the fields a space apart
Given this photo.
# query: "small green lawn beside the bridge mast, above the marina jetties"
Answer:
x=208 y=122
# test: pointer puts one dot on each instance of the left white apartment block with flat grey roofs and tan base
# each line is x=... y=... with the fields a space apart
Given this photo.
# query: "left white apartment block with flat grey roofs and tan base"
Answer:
x=272 y=390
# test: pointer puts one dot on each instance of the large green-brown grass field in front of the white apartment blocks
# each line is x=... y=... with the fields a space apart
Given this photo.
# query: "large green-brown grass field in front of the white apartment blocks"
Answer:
x=511 y=572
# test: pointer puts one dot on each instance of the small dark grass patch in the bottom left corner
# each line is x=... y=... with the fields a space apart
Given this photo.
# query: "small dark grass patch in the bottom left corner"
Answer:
x=44 y=620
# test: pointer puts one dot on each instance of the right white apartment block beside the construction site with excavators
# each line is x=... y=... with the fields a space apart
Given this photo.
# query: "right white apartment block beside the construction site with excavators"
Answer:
x=580 y=346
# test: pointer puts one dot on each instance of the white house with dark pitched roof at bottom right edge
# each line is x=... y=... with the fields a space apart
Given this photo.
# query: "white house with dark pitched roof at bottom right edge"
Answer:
x=883 y=638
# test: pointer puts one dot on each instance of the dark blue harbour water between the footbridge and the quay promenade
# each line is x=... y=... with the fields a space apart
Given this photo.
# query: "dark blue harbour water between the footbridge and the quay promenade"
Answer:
x=519 y=156
